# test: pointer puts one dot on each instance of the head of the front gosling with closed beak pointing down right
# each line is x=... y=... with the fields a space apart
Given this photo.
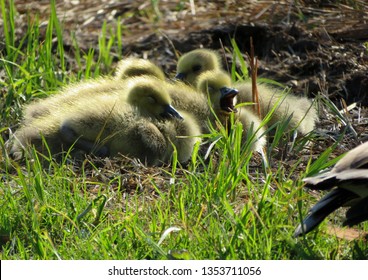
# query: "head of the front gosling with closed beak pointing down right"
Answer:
x=151 y=98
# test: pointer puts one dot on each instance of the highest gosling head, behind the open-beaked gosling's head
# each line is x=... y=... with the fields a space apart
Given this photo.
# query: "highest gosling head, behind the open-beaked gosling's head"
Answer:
x=193 y=63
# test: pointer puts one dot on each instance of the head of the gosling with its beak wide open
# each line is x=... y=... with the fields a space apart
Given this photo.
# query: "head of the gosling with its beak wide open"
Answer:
x=217 y=85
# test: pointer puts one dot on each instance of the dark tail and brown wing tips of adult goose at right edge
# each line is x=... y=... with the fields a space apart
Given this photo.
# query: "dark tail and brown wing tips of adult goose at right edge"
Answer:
x=348 y=180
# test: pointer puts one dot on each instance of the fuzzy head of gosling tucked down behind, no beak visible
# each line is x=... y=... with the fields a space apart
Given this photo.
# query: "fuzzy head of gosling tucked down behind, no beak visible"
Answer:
x=134 y=67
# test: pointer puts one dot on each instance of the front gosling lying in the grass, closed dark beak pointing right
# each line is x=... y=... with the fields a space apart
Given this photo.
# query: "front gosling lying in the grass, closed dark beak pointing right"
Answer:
x=130 y=122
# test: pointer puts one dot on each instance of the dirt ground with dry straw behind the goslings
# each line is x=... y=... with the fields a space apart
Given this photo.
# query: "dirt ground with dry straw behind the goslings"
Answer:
x=316 y=47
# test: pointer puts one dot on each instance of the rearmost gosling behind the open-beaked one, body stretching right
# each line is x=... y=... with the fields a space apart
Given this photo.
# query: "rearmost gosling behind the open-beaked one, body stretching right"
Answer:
x=303 y=115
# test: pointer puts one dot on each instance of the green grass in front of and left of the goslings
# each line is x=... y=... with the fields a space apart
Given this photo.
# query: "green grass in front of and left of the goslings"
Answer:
x=224 y=205
